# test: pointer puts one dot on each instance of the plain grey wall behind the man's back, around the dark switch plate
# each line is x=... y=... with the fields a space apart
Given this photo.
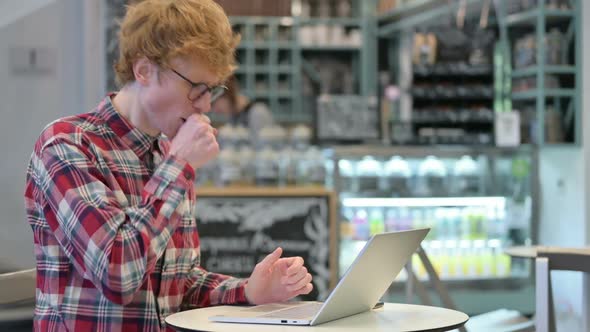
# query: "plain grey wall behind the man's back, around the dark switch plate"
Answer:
x=29 y=102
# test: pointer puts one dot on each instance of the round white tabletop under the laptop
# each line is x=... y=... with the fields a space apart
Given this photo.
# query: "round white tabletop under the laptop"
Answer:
x=391 y=317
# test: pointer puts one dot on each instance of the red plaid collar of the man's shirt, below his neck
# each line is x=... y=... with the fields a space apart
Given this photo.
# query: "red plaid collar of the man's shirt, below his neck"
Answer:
x=137 y=140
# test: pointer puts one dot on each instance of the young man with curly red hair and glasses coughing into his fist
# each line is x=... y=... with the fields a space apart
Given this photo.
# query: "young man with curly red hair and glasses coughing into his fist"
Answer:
x=110 y=200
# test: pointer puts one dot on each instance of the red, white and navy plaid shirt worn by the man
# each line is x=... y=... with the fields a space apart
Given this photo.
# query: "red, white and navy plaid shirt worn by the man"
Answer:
x=116 y=242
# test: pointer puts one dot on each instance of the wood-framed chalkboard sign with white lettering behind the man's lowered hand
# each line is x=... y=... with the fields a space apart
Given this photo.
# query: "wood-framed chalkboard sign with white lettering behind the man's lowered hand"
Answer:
x=239 y=227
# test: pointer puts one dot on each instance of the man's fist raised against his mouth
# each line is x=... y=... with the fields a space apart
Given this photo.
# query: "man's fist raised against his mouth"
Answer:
x=195 y=141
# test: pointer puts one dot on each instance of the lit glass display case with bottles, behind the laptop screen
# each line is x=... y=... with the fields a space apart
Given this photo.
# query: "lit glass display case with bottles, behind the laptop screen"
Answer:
x=476 y=202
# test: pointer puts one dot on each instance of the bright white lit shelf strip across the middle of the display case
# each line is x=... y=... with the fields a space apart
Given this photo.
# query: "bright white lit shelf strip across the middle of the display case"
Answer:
x=424 y=201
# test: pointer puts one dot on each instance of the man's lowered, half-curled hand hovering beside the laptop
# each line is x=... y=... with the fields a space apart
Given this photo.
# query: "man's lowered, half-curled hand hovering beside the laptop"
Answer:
x=277 y=279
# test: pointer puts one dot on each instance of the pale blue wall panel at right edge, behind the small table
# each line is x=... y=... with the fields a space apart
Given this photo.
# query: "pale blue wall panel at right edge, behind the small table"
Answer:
x=563 y=221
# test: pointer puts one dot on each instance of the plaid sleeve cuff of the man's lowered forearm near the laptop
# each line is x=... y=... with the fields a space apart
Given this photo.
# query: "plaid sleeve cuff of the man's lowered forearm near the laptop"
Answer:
x=206 y=288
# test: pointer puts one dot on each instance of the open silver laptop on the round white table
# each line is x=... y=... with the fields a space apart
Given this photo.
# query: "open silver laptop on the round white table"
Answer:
x=361 y=287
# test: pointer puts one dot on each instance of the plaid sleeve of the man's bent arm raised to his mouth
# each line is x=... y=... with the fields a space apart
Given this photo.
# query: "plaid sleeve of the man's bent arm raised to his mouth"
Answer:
x=113 y=246
